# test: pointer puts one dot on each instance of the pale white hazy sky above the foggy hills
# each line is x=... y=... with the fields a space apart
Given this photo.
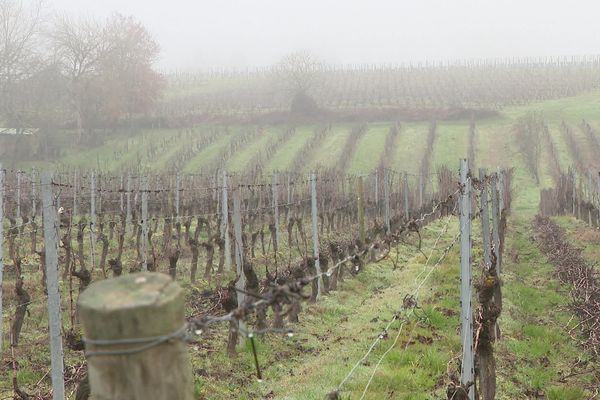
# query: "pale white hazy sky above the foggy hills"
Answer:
x=197 y=34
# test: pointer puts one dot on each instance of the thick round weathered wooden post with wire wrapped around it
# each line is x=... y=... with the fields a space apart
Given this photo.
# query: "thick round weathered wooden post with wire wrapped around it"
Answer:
x=128 y=313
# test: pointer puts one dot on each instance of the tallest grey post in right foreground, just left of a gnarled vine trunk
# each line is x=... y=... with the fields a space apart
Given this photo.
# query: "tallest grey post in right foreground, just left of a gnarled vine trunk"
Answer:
x=466 y=285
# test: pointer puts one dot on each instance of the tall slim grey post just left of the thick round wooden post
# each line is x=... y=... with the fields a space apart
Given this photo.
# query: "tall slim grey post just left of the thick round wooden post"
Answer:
x=54 y=320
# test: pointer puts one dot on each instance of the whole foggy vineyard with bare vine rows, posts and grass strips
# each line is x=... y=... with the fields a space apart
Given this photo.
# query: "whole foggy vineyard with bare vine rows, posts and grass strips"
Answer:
x=335 y=258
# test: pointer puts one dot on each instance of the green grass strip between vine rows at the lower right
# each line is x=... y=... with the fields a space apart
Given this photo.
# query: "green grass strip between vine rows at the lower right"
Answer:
x=535 y=352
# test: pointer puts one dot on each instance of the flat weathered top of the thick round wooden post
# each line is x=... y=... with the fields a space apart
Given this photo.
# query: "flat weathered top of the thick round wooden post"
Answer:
x=129 y=291
